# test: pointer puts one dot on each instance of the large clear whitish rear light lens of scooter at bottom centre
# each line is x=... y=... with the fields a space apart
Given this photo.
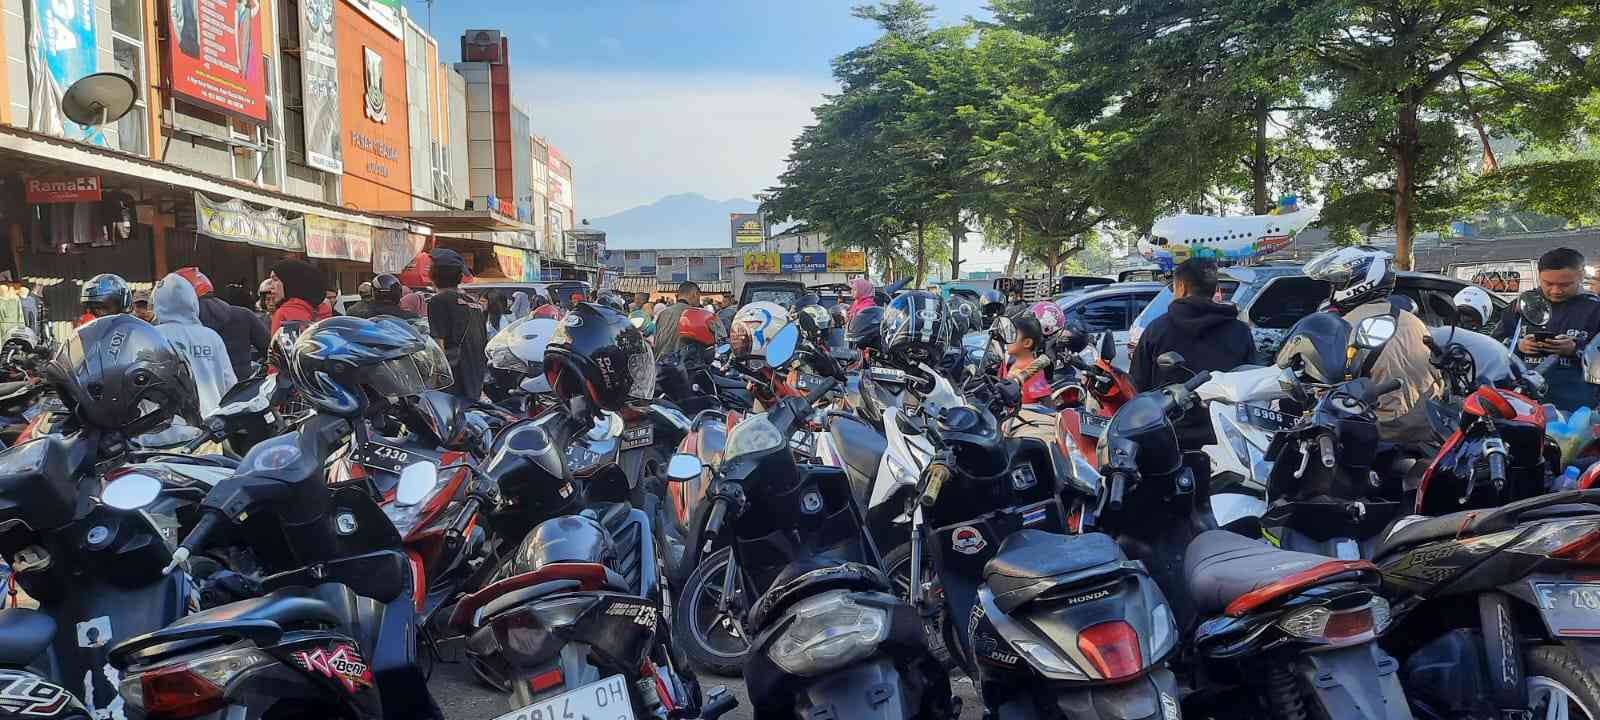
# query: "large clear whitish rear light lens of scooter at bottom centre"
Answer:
x=830 y=631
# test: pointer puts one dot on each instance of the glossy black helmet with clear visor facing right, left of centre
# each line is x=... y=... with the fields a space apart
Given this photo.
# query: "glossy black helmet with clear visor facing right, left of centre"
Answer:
x=599 y=356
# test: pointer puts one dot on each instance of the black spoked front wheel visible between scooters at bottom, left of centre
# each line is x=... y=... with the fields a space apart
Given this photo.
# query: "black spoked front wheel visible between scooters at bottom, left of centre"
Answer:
x=711 y=639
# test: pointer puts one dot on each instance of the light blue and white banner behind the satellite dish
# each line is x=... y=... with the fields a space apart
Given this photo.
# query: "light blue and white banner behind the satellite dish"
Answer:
x=68 y=54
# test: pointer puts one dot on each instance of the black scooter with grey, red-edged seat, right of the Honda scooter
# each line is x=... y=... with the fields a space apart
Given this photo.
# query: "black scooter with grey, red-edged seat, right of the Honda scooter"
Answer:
x=1278 y=633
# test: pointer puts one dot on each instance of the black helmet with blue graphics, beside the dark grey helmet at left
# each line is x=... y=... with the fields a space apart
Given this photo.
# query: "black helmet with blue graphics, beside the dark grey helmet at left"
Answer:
x=343 y=364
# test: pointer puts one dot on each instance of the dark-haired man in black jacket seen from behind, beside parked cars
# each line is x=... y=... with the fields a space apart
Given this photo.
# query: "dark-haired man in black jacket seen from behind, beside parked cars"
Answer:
x=1207 y=334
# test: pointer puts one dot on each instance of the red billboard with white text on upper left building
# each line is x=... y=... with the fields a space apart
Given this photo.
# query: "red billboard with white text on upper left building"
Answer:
x=215 y=57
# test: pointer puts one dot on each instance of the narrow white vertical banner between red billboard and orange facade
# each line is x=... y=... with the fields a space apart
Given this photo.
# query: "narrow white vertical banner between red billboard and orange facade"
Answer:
x=321 y=87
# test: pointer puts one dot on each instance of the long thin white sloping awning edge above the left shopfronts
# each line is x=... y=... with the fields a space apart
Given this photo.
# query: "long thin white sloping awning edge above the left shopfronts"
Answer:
x=57 y=156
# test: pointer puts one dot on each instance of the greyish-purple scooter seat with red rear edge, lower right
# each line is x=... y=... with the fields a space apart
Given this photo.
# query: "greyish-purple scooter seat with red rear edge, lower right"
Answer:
x=1222 y=567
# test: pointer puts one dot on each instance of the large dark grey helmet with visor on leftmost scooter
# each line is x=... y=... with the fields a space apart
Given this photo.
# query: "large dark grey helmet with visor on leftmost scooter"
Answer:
x=119 y=374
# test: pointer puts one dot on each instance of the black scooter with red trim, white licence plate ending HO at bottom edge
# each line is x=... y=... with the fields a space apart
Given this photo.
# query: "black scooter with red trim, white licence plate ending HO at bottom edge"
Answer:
x=575 y=620
